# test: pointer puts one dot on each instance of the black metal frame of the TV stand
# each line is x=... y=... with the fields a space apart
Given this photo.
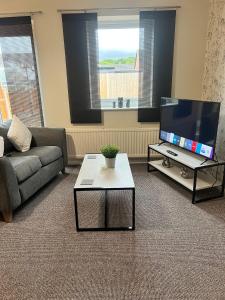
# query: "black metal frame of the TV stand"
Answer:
x=195 y=170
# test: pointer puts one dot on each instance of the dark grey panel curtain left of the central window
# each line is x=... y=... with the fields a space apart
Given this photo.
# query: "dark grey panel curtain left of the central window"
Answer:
x=80 y=38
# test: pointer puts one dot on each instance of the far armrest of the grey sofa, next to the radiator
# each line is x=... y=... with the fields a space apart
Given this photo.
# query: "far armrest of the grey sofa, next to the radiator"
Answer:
x=43 y=136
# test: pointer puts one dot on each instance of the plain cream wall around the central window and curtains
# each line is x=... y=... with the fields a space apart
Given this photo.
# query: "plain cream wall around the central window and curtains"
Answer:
x=188 y=63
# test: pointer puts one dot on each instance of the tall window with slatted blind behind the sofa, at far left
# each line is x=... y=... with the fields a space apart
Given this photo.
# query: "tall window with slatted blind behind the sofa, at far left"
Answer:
x=19 y=88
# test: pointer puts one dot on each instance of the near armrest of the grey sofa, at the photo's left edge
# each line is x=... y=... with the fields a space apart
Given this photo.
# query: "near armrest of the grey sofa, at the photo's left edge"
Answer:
x=9 y=189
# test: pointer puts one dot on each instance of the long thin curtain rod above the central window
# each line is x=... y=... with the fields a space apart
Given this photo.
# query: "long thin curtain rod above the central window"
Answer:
x=118 y=8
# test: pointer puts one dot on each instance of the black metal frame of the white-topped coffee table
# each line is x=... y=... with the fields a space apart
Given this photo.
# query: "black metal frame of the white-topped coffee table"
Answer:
x=106 y=228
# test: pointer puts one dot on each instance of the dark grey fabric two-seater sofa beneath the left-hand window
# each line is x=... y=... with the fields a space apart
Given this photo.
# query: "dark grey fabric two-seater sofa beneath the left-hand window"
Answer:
x=23 y=174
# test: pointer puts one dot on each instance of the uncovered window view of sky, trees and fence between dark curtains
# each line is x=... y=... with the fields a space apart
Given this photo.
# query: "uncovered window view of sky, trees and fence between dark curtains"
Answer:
x=118 y=67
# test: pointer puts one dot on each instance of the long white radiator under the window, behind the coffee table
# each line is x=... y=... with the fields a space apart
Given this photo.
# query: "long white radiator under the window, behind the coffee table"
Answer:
x=133 y=141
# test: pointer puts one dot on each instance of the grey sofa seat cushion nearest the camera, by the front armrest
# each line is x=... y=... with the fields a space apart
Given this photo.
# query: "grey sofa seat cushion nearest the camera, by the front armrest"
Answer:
x=25 y=166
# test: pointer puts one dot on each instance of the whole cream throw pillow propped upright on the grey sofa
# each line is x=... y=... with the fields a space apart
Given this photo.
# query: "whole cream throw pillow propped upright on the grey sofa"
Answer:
x=19 y=135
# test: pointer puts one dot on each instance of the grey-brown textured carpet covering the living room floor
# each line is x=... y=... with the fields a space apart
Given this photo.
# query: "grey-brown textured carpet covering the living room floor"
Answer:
x=176 y=252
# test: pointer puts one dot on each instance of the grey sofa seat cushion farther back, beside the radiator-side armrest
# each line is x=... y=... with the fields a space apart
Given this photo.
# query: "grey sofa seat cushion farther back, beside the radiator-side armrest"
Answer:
x=46 y=154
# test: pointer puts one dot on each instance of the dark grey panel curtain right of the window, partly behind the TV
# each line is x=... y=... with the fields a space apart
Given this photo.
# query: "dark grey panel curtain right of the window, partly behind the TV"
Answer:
x=155 y=61
